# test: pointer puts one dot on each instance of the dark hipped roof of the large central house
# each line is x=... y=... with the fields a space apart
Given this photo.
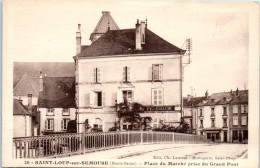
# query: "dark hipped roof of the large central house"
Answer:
x=118 y=42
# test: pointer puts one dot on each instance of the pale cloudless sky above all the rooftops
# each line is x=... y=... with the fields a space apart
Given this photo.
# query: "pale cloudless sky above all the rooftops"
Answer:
x=44 y=31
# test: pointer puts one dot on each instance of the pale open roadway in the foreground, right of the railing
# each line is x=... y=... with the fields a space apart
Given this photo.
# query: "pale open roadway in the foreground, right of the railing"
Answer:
x=178 y=151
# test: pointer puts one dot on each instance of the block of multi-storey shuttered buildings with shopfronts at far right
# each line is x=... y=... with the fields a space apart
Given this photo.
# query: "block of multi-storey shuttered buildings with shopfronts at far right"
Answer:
x=223 y=116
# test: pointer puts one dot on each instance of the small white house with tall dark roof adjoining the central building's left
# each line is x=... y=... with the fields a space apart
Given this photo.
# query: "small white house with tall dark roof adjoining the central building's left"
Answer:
x=56 y=104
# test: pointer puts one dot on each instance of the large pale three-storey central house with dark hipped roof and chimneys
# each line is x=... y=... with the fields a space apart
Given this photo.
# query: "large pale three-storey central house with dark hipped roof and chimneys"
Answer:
x=127 y=64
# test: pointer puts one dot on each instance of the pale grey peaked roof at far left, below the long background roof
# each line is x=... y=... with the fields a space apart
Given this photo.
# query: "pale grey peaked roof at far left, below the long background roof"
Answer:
x=26 y=86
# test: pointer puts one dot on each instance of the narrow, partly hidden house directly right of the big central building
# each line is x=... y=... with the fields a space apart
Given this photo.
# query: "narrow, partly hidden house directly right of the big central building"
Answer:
x=190 y=111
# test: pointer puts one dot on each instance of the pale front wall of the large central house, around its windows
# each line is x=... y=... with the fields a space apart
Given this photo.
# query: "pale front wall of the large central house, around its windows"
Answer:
x=140 y=78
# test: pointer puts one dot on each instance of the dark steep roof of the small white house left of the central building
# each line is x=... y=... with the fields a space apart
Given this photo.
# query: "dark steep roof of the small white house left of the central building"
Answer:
x=58 y=92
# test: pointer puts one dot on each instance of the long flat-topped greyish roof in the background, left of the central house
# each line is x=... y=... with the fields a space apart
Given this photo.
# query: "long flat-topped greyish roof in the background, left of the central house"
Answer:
x=32 y=69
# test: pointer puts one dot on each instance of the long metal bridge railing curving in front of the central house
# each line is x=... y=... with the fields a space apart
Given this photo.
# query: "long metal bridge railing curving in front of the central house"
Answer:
x=80 y=143
